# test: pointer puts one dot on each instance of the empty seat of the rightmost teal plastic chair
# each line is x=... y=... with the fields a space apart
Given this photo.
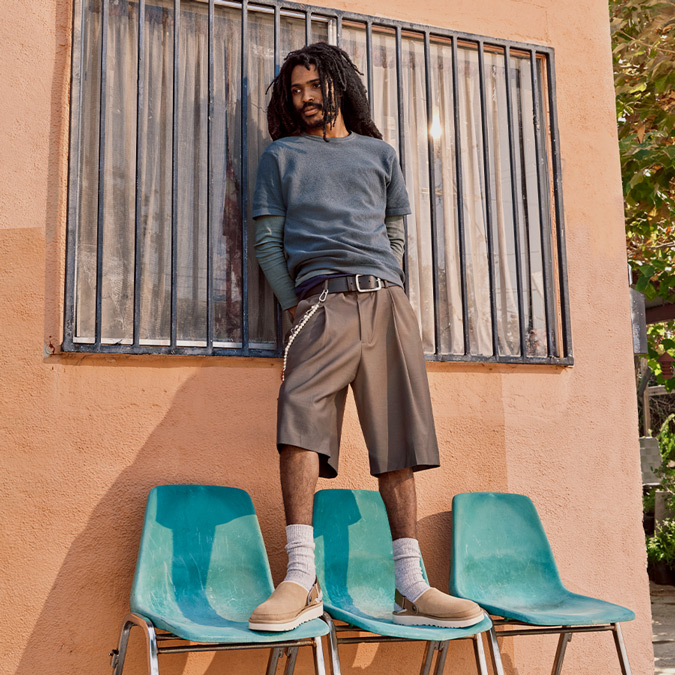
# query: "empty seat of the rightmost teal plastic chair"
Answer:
x=567 y=609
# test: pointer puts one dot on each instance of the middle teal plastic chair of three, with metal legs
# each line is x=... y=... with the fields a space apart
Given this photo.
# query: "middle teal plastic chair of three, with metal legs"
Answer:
x=355 y=568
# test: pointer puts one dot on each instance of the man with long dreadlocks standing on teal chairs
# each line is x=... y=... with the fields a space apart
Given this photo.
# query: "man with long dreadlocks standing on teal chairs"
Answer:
x=329 y=206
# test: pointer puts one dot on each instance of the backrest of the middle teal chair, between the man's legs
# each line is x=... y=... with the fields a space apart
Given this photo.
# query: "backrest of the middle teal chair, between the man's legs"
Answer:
x=353 y=550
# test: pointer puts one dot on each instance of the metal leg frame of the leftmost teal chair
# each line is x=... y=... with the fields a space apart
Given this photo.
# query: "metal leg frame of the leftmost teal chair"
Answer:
x=153 y=637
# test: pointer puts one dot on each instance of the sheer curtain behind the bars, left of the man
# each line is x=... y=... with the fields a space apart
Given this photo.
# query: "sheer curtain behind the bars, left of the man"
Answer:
x=155 y=176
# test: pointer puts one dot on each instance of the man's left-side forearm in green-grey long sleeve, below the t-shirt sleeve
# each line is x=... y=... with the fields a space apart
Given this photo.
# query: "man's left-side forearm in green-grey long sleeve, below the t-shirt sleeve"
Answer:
x=269 y=248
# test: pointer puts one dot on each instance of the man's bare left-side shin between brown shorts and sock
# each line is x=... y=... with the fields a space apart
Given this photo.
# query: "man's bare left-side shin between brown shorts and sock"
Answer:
x=299 y=473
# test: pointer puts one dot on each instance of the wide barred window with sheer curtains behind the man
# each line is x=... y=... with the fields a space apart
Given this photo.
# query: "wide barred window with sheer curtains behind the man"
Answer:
x=167 y=125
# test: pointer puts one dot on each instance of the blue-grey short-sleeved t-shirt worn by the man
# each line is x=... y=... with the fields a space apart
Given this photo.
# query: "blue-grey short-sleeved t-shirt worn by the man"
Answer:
x=335 y=197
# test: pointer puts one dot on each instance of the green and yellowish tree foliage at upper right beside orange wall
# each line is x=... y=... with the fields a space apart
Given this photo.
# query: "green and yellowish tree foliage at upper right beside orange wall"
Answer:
x=643 y=40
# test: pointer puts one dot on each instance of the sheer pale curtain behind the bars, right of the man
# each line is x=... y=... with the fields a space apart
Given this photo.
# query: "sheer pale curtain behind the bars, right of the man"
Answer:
x=417 y=128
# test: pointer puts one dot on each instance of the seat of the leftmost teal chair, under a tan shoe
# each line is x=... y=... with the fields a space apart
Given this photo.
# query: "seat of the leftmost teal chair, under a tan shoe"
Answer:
x=233 y=632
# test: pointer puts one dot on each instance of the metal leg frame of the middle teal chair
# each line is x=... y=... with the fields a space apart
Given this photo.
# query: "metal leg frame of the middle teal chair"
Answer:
x=438 y=648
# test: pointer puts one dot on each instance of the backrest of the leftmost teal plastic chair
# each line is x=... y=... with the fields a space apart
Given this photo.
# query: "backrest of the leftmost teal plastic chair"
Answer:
x=201 y=555
